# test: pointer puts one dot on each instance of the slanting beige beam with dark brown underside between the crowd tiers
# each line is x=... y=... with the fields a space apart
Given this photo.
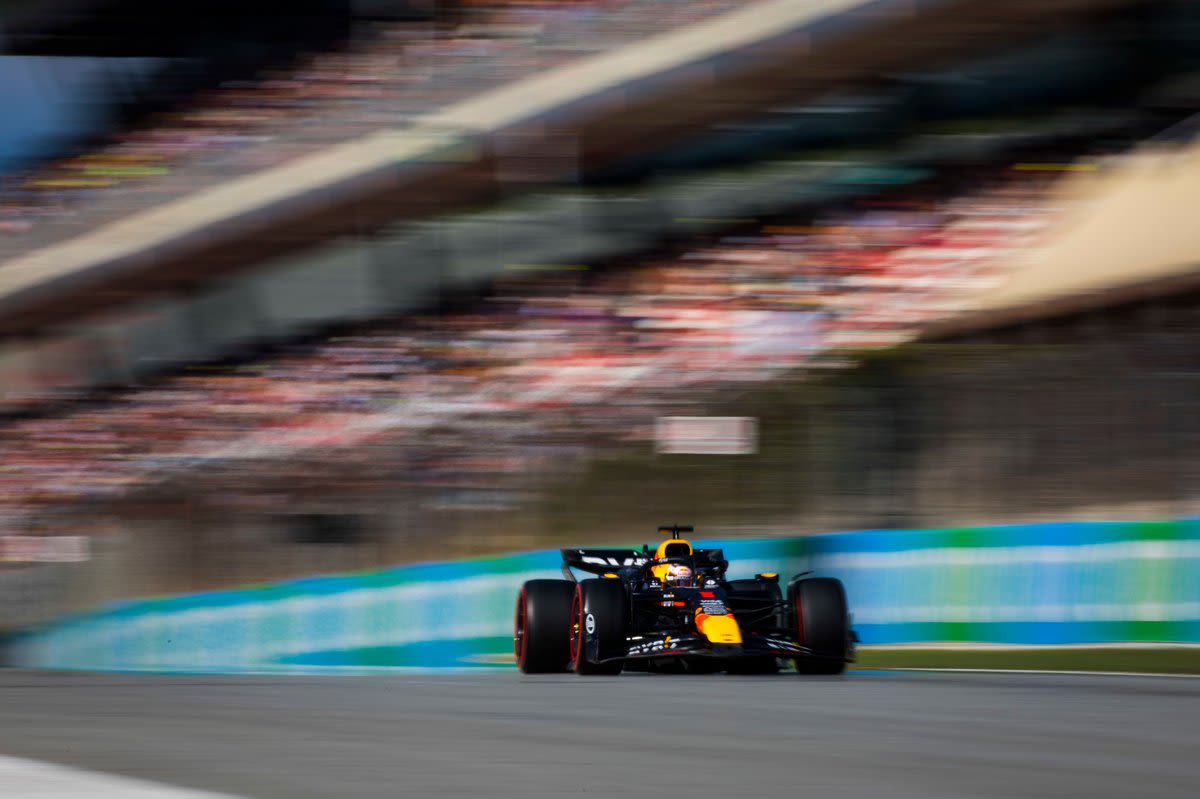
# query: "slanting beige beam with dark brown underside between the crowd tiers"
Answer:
x=615 y=104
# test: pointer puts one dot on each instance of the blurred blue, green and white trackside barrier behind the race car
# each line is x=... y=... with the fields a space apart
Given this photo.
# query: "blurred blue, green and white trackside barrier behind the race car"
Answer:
x=1033 y=585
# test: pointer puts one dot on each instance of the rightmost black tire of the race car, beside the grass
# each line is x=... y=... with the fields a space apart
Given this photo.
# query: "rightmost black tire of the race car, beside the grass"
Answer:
x=821 y=623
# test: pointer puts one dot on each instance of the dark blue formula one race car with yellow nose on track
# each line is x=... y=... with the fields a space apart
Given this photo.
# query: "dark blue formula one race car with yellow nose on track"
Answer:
x=674 y=610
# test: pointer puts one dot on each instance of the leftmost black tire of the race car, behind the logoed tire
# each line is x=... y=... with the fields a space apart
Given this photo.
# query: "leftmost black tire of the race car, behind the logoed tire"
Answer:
x=542 y=627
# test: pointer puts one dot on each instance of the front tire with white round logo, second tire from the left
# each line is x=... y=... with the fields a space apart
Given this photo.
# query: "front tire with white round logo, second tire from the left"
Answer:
x=604 y=603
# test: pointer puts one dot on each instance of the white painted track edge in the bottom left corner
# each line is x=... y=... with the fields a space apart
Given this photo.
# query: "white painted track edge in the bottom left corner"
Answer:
x=41 y=780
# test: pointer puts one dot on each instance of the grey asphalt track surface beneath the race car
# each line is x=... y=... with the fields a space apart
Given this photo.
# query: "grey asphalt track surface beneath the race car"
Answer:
x=503 y=735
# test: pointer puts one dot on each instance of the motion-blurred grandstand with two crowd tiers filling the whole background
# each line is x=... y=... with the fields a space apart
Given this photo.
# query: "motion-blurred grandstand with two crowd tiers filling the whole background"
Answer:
x=425 y=292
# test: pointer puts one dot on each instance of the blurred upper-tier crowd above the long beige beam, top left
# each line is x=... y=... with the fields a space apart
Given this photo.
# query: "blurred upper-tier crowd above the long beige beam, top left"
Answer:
x=387 y=77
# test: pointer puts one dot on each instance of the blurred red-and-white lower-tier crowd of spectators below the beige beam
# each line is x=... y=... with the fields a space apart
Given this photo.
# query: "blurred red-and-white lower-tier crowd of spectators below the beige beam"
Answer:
x=485 y=404
